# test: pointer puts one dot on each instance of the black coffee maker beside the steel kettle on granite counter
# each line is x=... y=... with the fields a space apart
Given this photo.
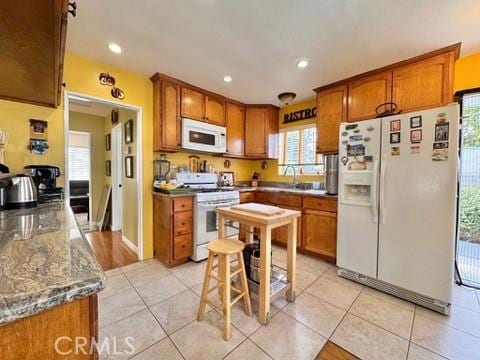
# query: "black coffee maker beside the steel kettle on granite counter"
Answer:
x=45 y=178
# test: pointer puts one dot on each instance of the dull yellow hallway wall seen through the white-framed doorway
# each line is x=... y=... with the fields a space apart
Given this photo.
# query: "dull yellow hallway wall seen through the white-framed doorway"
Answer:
x=95 y=126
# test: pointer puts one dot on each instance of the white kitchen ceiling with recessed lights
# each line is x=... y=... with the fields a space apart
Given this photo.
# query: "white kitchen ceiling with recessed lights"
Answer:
x=258 y=42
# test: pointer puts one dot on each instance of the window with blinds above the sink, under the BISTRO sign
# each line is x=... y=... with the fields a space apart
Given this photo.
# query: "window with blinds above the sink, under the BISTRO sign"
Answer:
x=298 y=149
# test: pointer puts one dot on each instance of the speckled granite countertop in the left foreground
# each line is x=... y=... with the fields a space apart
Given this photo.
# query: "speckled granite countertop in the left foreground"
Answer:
x=45 y=261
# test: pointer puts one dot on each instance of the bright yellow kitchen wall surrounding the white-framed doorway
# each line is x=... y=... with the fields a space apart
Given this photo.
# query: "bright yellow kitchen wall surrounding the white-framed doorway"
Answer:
x=81 y=75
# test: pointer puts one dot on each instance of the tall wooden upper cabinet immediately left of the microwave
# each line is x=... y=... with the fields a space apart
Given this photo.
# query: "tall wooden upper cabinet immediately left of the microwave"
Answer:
x=166 y=123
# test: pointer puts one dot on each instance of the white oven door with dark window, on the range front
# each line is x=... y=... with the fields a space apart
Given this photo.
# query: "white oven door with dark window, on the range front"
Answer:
x=207 y=222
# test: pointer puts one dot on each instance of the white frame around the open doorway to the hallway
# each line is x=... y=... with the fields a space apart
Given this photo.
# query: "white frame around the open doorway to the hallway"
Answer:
x=139 y=152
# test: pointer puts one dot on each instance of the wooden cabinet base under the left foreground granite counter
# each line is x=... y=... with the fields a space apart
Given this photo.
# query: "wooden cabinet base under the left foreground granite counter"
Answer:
x=34 y=337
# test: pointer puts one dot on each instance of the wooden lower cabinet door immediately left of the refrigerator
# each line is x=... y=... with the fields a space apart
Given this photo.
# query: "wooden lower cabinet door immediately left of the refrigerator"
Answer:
x=320 y=232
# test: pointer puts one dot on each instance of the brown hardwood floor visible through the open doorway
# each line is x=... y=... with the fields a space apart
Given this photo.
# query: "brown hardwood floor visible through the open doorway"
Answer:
x=110 y=250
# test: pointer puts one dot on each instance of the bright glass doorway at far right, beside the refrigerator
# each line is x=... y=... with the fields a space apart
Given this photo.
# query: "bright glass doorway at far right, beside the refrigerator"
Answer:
x=468 y=243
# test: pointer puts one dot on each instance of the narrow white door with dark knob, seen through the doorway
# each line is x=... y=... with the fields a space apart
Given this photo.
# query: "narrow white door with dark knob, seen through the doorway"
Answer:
x=117 y=171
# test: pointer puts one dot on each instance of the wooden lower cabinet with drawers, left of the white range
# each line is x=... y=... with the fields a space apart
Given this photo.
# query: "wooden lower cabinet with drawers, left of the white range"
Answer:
x=172 y=229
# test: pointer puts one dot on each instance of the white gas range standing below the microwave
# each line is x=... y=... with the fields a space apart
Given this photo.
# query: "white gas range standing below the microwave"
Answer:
x=208 y=197
